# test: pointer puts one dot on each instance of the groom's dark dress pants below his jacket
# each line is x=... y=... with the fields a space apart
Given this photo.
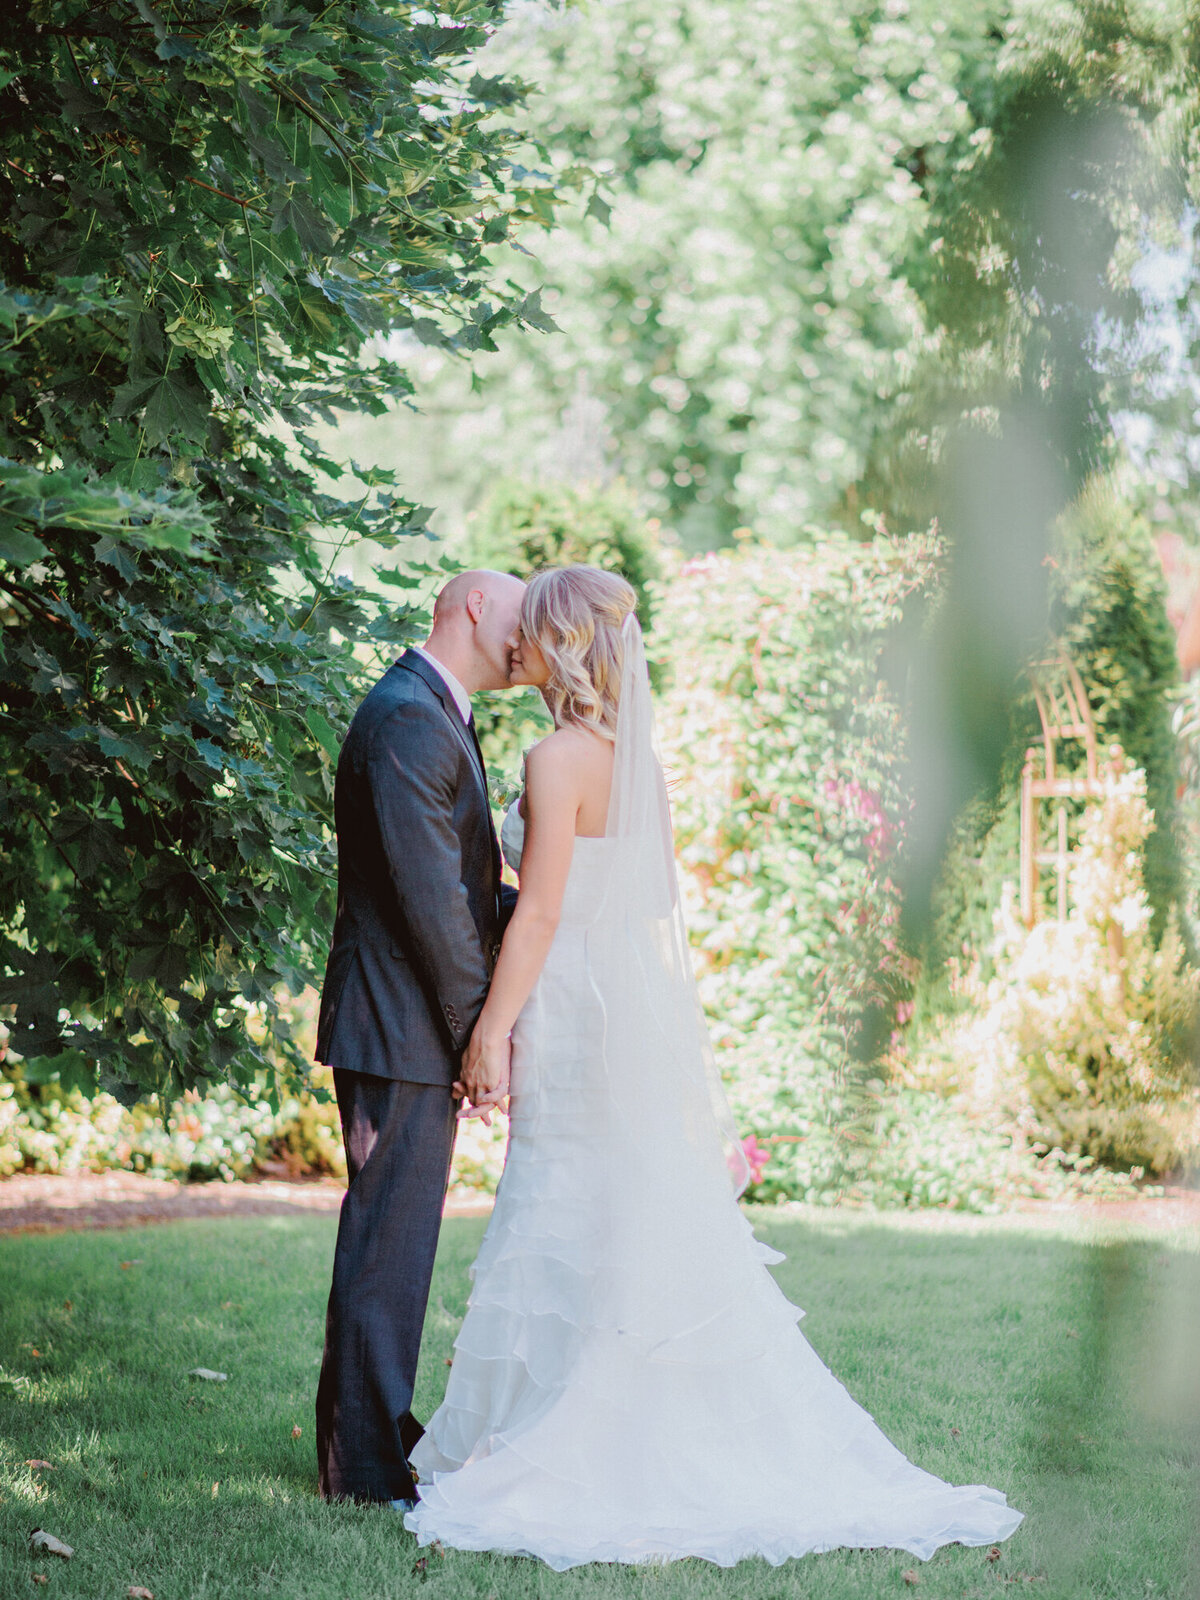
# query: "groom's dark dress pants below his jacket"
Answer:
x=399 y=1140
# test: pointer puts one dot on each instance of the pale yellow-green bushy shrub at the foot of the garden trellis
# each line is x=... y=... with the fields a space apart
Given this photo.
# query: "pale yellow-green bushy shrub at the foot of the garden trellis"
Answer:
x=1084 y=1034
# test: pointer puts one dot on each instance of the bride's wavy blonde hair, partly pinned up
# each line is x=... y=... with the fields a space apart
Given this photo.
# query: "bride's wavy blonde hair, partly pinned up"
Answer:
x=574 y=615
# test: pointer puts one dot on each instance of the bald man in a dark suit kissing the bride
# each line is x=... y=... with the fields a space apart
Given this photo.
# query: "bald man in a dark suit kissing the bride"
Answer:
x=417 y=937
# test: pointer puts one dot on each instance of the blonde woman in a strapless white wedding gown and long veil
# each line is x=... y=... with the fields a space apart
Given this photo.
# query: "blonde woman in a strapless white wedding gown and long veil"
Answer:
x=630 y=1383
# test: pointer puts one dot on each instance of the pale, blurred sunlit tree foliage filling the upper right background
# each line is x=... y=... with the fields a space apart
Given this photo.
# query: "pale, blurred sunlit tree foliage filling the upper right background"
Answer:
x=823 y=234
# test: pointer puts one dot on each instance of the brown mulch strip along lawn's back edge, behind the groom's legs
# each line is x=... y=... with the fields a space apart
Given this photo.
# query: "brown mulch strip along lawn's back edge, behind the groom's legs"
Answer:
x=42 y=1204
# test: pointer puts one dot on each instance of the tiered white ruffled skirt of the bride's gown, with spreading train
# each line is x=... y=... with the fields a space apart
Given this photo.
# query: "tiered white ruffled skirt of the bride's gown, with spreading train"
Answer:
x=630 y=1383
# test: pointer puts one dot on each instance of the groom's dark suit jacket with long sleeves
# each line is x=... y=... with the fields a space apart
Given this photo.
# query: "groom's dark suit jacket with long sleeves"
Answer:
x=420 y=910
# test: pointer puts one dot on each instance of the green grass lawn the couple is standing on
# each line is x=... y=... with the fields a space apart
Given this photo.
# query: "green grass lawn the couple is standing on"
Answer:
x=1062 y=1370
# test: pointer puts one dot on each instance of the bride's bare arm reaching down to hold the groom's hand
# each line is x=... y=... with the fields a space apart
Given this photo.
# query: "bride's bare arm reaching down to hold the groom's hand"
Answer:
x=553 y=796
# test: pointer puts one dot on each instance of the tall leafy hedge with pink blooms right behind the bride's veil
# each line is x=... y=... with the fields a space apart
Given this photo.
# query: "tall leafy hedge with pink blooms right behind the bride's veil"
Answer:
x=785 y=758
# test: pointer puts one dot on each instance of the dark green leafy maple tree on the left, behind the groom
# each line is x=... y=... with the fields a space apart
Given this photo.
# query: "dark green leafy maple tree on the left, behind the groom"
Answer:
x=209 y=220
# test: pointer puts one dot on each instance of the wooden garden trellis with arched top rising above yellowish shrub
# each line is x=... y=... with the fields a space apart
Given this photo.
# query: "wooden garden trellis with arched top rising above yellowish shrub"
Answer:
x=1065 y=713
